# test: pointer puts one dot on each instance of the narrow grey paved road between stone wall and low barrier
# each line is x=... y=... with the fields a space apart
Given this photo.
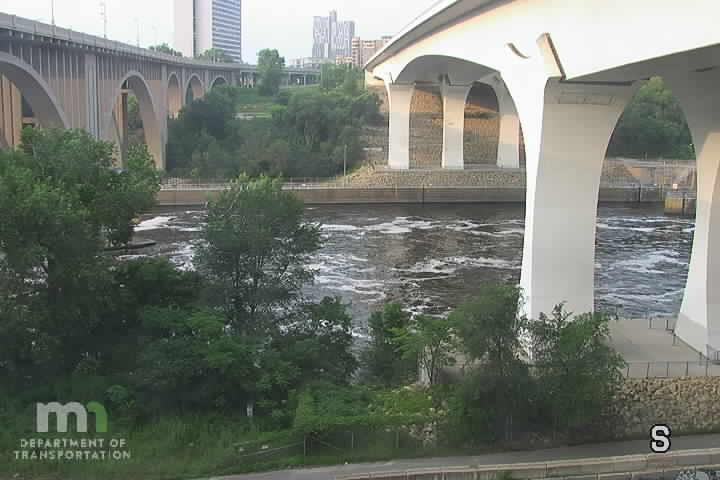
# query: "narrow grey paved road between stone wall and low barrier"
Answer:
x=564 y=453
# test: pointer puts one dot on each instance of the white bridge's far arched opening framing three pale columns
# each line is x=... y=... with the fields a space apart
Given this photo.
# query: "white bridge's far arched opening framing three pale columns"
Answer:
x=438 y=94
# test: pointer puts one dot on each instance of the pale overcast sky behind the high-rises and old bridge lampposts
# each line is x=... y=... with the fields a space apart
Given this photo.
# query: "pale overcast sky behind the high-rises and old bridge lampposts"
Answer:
x=282 y=24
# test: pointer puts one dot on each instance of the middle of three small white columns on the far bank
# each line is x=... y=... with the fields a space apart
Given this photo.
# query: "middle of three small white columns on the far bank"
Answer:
x=454 y=98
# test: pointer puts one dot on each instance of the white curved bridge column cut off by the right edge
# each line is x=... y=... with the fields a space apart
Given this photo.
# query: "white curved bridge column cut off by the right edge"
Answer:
x=699 y=320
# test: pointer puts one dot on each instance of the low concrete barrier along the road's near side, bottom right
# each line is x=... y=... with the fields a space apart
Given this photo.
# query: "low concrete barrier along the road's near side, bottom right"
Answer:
x=667 y=466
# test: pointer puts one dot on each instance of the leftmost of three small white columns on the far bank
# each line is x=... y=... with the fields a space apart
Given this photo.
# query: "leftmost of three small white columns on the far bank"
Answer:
x=399 y=99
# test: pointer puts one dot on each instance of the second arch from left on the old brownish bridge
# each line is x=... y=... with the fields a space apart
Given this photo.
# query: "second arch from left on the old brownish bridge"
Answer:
x=149 y=110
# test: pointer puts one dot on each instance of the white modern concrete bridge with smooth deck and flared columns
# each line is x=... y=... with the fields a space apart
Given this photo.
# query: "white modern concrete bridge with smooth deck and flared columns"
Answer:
x=563 y=71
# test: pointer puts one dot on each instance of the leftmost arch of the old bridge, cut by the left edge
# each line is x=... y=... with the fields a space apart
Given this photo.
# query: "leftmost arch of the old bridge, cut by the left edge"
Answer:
x=35 y=90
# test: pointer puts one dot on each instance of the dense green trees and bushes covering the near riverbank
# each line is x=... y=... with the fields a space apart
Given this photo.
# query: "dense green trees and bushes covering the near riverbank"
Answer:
x=228 y=368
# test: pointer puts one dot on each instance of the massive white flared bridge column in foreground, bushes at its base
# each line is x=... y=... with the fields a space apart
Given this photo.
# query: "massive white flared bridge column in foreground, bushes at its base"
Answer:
x=567 y=130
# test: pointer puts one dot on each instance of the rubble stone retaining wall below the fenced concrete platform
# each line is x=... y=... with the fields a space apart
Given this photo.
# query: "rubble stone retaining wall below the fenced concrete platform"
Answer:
x=686 y=404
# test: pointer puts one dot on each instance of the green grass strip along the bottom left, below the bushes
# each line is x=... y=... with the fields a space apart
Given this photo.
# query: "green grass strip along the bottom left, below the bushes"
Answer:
x=200 y=447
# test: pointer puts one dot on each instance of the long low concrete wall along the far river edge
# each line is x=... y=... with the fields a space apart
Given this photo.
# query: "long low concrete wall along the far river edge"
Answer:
x=390 y=195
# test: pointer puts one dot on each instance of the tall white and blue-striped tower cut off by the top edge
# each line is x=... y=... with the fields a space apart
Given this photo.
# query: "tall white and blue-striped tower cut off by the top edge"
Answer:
x=204 y=24
